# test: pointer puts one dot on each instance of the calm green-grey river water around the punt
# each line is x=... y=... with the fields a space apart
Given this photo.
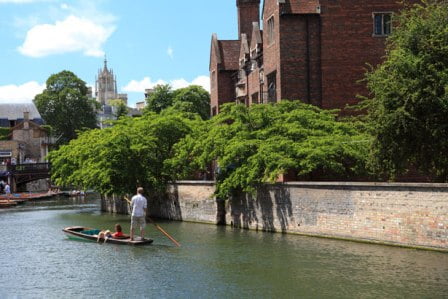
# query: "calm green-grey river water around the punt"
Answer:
x=38 y=261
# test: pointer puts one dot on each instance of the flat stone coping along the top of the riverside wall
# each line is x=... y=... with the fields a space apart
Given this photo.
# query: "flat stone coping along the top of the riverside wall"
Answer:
x=336 y=184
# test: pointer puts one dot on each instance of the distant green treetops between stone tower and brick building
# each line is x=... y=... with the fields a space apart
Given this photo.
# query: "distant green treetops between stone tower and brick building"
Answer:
x=192 y=99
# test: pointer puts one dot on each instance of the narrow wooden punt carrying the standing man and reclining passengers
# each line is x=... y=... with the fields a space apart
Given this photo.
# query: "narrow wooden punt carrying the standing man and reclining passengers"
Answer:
x=91 y=234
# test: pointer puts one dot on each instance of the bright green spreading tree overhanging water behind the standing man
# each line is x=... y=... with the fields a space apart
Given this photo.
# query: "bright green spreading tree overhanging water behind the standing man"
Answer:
x=119 y=158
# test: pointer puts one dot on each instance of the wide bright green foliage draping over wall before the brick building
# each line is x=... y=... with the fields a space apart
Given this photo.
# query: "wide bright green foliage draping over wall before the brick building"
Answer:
x=257 y=144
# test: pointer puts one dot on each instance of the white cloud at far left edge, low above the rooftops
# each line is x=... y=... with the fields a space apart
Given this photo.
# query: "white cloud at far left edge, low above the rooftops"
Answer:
x=24 y=93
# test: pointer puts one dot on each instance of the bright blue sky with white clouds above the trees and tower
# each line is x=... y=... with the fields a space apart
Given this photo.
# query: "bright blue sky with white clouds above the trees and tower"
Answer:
x=146 y=42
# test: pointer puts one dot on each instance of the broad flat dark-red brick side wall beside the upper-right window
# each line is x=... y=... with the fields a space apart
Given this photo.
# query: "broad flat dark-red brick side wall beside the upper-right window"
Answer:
x=348 y=45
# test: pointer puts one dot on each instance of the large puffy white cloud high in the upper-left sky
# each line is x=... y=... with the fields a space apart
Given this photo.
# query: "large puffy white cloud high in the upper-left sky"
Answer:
x=70 y=35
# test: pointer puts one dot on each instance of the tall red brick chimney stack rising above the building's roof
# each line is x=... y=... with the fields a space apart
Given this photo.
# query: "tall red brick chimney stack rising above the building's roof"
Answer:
x=248 y=13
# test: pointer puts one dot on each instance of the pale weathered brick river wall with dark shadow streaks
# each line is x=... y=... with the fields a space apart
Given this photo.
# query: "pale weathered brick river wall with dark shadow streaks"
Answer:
x=401 y=214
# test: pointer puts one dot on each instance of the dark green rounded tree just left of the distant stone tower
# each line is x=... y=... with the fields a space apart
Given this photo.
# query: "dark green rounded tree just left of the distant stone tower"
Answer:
x=64 y=106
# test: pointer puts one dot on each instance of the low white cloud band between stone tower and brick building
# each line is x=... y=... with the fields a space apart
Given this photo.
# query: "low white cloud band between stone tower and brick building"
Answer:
x=146 y=82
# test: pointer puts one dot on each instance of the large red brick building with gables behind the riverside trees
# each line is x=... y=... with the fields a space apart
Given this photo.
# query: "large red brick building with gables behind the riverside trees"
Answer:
x=312 y=50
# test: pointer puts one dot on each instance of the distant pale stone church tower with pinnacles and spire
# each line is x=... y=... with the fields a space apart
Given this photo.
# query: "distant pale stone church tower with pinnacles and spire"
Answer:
x=106 y=85
